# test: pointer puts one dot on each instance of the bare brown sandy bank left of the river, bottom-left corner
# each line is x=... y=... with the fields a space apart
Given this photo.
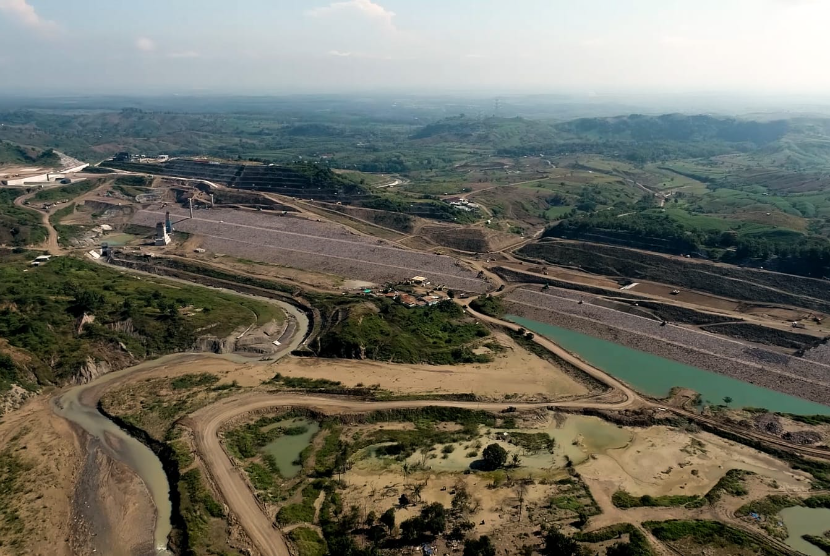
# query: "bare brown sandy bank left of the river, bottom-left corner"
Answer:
x=54 y=526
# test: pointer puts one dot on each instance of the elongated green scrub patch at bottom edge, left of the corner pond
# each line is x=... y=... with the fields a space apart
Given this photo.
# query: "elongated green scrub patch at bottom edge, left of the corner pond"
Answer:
x=707 y=533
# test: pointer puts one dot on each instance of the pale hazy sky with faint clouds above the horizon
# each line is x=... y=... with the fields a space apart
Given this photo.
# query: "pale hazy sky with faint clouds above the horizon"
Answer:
x=586 y=47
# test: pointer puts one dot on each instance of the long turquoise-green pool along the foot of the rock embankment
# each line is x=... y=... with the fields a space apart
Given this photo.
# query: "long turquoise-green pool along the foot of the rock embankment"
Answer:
x=656 y=376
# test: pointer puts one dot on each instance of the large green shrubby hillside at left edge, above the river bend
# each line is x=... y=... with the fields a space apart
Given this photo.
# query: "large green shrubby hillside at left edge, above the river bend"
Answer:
x=134 y=319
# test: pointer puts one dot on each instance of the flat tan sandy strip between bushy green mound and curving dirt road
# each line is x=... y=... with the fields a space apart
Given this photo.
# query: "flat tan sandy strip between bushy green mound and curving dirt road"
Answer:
x=515 y=371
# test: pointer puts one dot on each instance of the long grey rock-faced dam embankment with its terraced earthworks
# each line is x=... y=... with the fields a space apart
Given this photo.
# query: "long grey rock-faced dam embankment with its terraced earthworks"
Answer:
x=218 y=213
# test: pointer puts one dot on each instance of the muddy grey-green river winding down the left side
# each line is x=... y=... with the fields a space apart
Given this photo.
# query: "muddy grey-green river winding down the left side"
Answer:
x=79 y=405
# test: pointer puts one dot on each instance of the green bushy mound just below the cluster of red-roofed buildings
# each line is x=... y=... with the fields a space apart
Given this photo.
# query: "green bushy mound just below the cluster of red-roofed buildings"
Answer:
x=437 y=335
